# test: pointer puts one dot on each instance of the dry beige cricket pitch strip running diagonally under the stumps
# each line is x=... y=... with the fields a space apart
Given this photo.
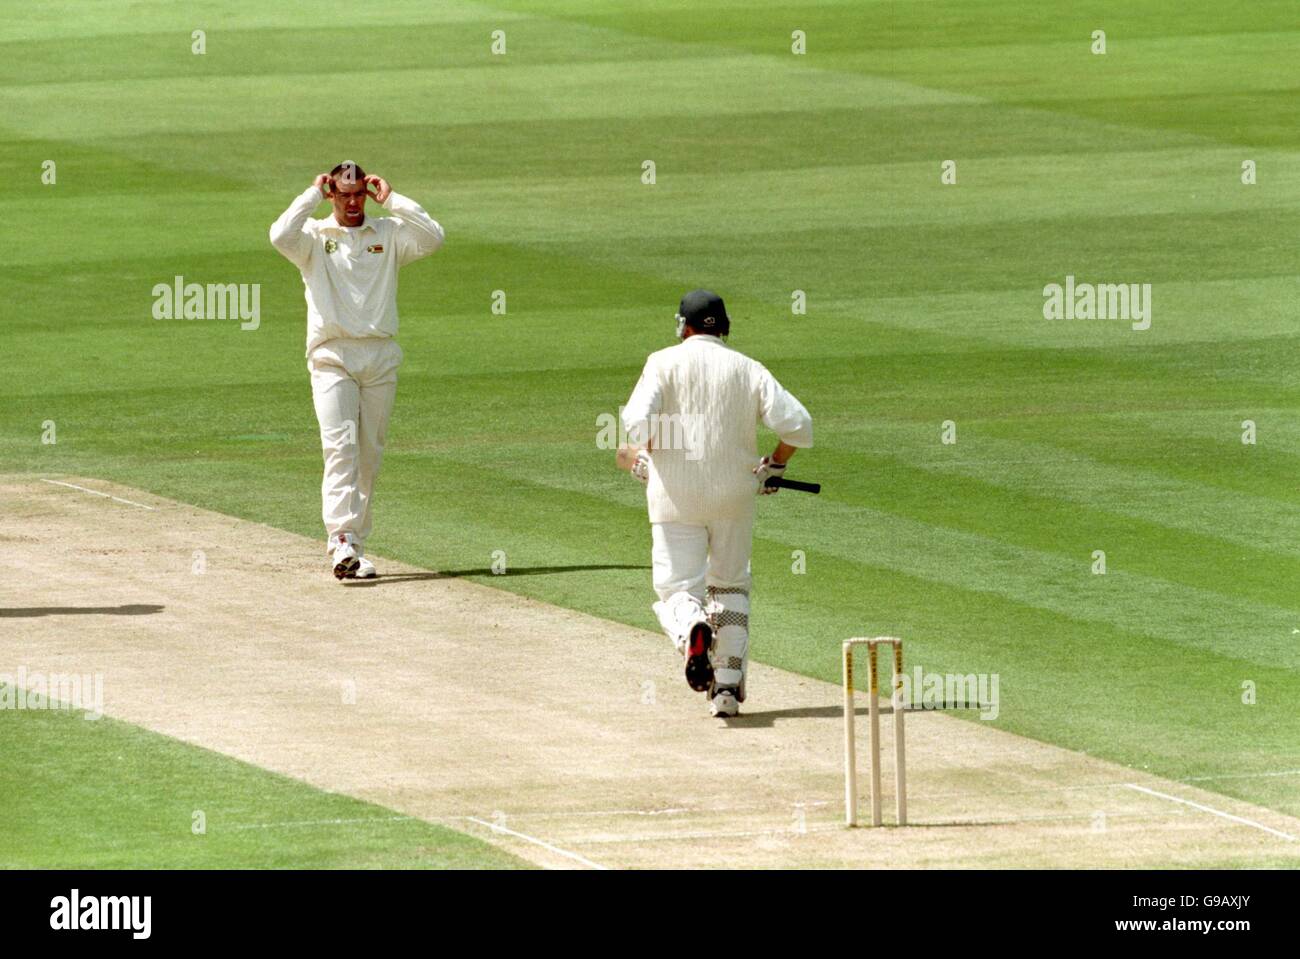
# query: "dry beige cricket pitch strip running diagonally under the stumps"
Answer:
x=567 y=740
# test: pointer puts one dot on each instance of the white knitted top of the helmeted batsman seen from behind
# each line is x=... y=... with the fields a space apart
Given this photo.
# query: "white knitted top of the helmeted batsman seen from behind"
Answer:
x=700 y=403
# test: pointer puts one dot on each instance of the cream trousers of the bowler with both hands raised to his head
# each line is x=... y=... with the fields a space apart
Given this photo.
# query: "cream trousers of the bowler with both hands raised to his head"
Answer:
x=354 y=383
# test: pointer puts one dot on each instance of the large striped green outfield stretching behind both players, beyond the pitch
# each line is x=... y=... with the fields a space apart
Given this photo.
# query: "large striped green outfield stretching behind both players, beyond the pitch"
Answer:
x=774 y=173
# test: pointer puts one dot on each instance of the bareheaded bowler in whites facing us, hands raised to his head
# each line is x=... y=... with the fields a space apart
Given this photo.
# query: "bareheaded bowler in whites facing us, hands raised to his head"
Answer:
x=350 y=264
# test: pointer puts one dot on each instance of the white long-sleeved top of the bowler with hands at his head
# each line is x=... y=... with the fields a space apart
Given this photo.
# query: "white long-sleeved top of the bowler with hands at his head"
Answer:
x=350 y=274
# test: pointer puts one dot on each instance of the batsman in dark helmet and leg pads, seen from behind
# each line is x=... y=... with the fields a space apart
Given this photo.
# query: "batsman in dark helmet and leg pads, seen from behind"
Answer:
x=692 y=439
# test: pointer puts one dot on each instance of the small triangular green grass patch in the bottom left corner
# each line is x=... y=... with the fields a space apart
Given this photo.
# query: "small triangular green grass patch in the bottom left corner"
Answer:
x=106 y=795
